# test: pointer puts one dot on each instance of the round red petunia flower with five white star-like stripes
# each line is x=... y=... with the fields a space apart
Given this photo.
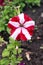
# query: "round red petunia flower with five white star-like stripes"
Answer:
x=22 y=27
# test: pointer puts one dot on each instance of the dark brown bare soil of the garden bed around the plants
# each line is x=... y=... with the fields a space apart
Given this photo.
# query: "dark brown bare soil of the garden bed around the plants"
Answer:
x=36 y=44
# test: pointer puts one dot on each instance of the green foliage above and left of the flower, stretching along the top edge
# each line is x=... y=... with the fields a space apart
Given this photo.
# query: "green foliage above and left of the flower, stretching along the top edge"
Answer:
x=10 y=9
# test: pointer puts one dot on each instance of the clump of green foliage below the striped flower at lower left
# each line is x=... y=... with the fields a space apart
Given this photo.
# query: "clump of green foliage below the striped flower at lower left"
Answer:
x=11 y=55
